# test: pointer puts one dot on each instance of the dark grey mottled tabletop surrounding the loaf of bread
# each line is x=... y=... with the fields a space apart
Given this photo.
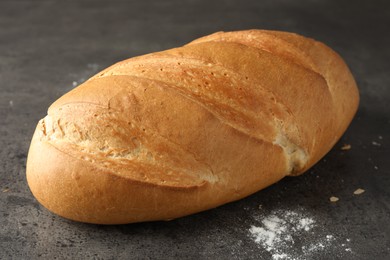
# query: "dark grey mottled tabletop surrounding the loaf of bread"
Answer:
x=48 y=47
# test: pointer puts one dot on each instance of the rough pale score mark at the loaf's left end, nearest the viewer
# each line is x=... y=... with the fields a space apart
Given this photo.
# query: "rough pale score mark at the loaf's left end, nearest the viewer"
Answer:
x=82 y=145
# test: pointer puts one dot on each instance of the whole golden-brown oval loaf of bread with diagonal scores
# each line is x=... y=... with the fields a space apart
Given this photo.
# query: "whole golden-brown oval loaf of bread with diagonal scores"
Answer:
x=173 y=133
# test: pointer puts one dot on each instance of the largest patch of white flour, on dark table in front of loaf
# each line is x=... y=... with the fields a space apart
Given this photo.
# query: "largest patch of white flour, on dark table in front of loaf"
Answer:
x=288 y=234
